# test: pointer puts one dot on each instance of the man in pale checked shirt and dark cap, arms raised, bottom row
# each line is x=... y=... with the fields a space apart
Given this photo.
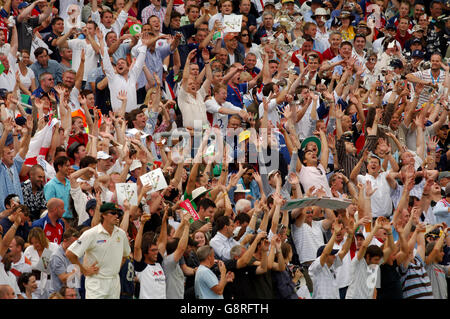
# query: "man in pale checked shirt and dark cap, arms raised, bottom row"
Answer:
x=323 y=269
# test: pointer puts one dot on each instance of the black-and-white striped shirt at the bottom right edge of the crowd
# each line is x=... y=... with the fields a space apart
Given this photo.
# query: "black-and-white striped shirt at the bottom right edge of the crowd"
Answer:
x=415 y=281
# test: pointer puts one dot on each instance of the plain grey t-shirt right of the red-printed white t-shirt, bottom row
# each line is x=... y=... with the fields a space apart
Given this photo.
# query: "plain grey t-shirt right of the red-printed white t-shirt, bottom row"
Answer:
x=174 y=278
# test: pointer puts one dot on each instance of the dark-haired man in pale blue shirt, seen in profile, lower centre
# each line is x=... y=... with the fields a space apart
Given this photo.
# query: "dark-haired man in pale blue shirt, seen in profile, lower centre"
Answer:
x=223 y=241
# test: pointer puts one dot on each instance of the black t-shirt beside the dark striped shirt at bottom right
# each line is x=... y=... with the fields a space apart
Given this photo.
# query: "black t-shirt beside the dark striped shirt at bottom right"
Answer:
x=391 y=287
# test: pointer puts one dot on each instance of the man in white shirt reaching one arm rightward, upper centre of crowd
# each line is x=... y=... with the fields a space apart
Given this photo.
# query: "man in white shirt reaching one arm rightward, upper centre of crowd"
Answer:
x=221 y=109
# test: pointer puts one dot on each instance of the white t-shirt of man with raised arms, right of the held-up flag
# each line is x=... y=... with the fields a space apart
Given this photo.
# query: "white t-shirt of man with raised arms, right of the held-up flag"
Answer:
x=381 y=202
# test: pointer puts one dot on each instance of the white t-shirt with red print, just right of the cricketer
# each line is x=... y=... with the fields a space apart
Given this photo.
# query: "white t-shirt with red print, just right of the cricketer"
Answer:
x=153 y=282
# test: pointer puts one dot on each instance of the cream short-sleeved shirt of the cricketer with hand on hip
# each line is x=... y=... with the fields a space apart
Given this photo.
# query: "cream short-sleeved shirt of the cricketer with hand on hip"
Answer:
x=108 y=250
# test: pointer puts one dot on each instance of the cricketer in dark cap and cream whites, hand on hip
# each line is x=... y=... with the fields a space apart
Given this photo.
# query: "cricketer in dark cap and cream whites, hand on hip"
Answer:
x=105 y=248
